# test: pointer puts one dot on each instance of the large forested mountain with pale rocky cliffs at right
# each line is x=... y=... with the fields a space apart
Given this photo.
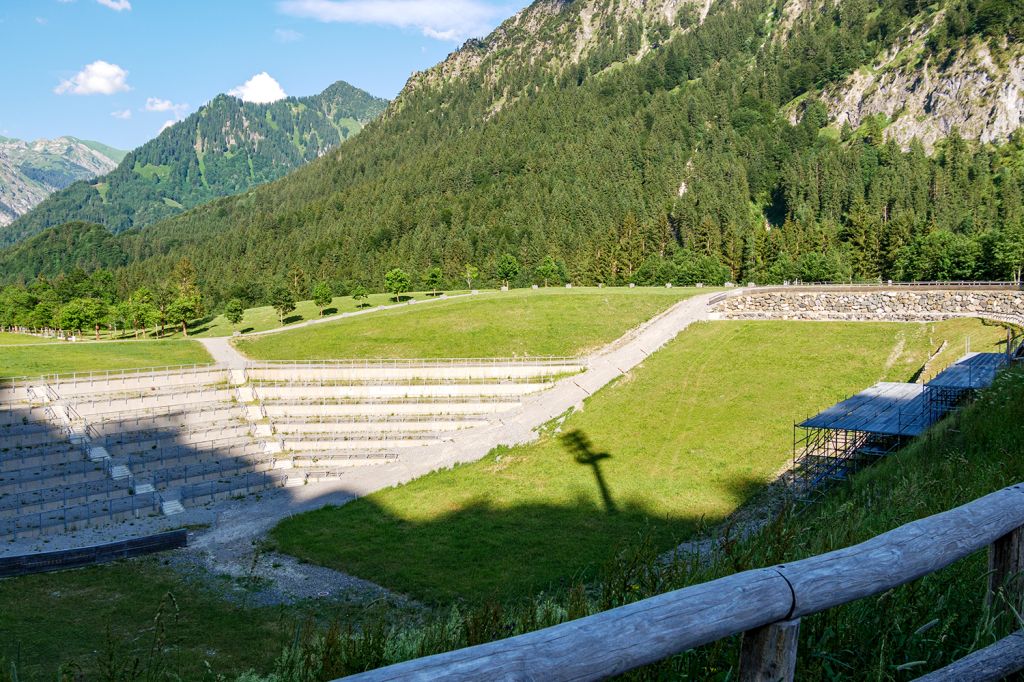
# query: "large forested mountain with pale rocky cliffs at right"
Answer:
x=667 y=141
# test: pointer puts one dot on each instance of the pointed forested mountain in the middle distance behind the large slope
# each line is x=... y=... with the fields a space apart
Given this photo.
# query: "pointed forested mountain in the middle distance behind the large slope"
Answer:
x=226 y=148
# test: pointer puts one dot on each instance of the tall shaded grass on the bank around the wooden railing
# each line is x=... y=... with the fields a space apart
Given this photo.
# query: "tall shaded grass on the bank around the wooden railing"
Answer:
x=899 y=635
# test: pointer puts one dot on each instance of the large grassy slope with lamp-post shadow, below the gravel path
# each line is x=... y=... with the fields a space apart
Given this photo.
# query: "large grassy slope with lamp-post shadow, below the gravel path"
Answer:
x=691 y=436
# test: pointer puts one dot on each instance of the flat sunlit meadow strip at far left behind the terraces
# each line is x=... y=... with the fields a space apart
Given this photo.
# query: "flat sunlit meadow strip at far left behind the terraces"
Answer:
x=33 y=361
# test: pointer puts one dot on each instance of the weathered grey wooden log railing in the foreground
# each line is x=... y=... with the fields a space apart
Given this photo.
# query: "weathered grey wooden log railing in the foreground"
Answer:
x=765 y=605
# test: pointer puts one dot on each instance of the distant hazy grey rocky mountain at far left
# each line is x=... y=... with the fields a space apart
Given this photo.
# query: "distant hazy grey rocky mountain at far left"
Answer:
x=31 y=172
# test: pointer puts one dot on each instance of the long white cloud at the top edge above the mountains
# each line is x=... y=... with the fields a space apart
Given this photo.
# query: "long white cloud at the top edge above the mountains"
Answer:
x=442 y=20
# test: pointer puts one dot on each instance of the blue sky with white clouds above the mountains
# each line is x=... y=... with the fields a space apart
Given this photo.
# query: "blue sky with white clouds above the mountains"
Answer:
x=117 y=71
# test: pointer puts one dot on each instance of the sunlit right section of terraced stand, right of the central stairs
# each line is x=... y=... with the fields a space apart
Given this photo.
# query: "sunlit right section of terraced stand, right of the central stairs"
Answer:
x=332 y=416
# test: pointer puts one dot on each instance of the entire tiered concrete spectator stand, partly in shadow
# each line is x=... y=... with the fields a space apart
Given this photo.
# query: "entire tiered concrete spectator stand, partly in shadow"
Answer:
x=93 y=450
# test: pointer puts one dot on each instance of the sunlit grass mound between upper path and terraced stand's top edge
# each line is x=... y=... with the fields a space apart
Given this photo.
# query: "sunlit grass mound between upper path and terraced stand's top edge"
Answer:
x=523 y=322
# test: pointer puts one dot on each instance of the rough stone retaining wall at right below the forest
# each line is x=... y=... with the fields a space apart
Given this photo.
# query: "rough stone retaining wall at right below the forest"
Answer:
x=876 y=306
